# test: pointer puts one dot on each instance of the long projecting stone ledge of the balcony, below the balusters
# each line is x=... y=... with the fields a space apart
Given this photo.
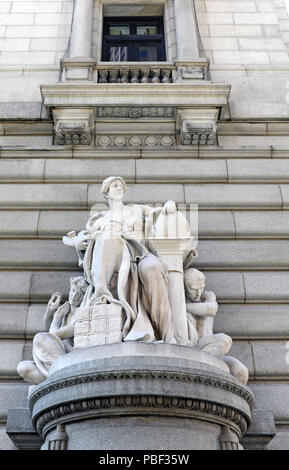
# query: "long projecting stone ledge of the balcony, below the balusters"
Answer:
x=171 y=94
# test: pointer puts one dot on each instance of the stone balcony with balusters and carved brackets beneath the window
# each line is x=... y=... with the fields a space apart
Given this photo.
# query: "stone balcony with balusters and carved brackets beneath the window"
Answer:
x=169 y=103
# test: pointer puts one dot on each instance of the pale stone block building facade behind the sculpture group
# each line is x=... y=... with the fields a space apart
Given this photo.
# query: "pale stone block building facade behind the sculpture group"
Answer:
x=206 y=125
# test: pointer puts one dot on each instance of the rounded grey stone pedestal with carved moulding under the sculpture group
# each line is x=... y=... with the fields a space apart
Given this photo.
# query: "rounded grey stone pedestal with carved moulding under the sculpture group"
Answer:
x=140 y=396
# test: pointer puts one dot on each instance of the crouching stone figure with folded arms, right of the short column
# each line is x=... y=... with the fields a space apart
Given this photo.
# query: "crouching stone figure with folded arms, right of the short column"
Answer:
x=201 y=311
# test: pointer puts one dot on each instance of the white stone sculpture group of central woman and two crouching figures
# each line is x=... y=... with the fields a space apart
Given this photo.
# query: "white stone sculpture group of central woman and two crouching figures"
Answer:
x=138 y=284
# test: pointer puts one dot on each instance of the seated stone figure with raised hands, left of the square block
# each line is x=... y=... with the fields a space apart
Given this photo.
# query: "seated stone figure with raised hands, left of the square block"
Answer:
x=58 y=339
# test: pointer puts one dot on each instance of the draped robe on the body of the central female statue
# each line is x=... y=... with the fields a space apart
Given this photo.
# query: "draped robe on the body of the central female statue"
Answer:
x=139 y=283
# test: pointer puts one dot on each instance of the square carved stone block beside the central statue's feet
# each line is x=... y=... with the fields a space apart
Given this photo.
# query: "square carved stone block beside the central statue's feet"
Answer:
x=99 y=324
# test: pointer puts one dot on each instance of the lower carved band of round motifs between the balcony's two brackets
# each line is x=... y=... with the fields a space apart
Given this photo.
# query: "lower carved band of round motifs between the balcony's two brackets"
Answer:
x=138 y=140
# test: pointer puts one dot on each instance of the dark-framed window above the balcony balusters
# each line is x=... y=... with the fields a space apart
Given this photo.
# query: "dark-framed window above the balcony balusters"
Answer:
x=133 y=40
